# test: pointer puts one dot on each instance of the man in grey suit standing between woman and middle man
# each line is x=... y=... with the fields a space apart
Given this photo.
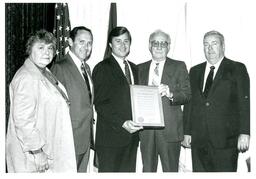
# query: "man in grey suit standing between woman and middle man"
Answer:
x=74 y=73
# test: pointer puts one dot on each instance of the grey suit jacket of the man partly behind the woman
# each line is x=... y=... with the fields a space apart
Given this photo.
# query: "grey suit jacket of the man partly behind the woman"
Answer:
x=81 y=107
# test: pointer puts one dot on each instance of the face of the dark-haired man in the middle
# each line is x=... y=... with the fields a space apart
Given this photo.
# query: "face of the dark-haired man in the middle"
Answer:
x=121 y=45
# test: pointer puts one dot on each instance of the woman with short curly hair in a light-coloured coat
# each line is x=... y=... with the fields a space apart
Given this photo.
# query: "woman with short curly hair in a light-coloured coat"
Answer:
x=39 y=134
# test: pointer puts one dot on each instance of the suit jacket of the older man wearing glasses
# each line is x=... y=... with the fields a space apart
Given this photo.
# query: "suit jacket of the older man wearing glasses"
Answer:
x=175 y=75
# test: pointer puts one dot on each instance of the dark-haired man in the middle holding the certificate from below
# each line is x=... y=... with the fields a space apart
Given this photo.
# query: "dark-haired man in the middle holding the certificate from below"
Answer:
x=116 y=136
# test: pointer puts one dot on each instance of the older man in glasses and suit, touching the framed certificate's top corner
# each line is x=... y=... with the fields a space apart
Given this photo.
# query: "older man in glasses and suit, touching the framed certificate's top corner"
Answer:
x=171 y=76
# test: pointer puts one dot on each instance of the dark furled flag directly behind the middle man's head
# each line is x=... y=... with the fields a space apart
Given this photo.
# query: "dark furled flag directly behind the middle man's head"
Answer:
x=111 y=25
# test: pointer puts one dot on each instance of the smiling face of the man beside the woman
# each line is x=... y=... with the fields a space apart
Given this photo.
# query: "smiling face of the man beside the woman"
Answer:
x=82 y=45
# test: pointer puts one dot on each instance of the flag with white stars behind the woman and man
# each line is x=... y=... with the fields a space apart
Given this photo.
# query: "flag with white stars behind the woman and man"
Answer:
x=61 y=29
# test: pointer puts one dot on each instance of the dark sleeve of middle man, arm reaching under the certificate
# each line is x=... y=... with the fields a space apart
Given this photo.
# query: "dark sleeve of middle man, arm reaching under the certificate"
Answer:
x=102 y=100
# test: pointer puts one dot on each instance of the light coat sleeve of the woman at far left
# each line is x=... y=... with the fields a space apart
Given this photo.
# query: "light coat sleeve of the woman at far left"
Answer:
x=24 y=96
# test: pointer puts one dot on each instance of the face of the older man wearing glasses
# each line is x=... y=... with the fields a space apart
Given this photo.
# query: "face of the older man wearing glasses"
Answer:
x=159 y=47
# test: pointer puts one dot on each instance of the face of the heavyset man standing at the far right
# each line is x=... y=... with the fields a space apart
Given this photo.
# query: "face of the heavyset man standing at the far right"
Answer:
x=213 y=49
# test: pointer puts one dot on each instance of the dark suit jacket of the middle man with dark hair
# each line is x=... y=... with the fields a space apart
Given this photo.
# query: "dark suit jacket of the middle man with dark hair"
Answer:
x=112 y=103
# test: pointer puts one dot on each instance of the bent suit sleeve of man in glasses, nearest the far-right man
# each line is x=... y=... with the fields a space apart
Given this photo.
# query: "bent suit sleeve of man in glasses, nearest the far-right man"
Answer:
x=182 y=91
